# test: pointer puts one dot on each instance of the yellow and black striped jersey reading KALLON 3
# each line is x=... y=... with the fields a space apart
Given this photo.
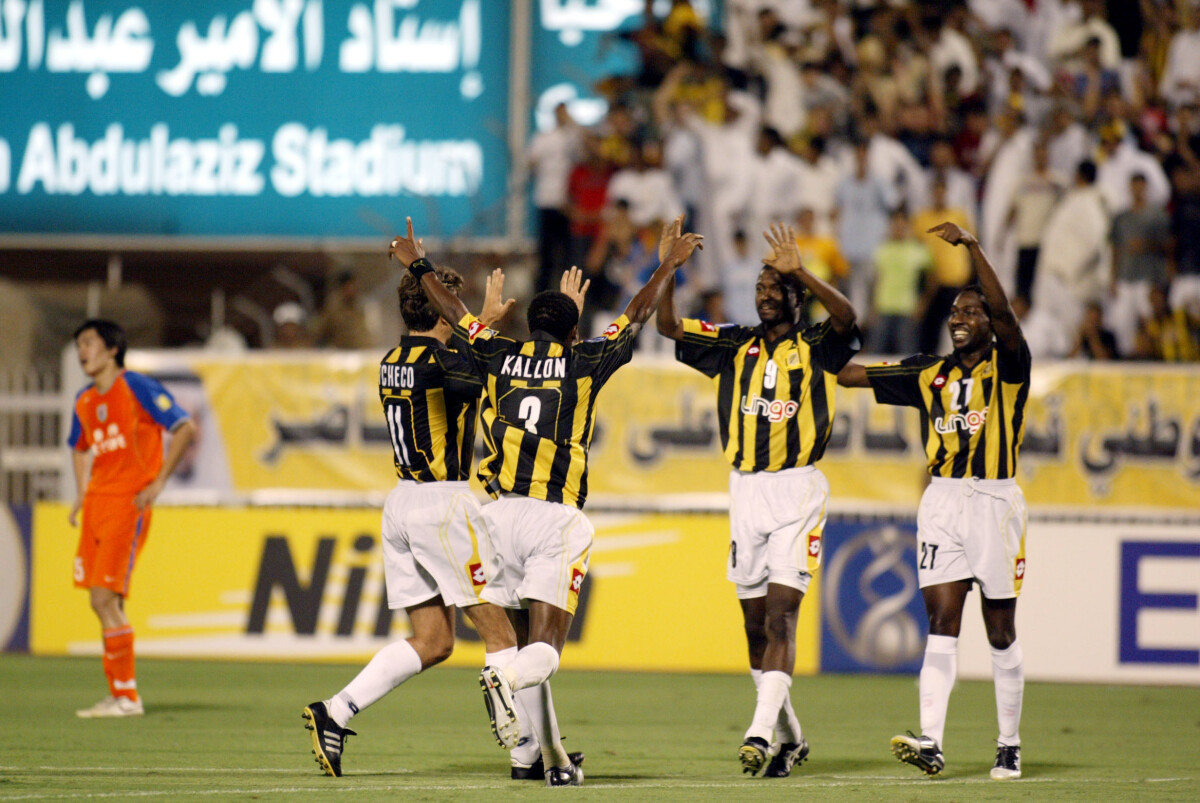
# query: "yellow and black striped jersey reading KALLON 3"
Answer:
x=539 y=406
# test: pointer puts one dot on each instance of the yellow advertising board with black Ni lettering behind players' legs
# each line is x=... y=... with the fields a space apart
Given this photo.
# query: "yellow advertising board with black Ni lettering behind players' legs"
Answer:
x=308 y=584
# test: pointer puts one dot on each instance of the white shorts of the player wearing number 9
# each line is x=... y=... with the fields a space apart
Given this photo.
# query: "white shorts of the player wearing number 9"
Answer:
x=776 y=525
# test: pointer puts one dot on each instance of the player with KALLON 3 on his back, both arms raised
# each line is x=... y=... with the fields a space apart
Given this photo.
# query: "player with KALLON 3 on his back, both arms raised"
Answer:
x=538 y=416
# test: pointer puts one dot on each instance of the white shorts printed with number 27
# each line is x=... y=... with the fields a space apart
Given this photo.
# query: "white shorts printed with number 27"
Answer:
x=973 y=530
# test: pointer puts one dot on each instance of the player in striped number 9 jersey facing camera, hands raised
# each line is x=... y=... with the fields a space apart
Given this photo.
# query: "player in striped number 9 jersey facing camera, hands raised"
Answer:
x=775 y=404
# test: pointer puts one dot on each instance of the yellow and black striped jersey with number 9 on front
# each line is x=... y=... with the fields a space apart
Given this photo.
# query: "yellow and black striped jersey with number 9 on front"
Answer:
x=775 y=400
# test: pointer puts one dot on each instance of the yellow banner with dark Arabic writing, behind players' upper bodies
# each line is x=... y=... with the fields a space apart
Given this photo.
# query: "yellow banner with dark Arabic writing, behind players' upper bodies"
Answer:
x=1097 y=436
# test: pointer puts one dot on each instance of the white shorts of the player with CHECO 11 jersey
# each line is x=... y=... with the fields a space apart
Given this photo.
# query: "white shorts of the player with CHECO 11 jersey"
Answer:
x=434 y=543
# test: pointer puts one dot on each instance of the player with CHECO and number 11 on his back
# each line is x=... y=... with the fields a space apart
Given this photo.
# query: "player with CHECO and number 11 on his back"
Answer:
x=435 y=544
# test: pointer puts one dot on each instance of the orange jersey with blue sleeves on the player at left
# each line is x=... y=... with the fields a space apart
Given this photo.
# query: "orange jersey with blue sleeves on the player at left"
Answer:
x=123 y=429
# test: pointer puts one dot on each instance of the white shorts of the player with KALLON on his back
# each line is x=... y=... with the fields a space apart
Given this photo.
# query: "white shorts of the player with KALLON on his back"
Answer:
x=541 y=553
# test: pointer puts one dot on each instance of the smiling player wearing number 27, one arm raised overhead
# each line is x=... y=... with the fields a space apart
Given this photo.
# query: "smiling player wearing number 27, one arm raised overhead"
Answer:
x=971 y=522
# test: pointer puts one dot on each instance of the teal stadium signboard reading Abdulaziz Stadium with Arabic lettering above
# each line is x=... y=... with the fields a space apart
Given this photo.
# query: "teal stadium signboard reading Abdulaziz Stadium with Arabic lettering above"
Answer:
x=280 y=118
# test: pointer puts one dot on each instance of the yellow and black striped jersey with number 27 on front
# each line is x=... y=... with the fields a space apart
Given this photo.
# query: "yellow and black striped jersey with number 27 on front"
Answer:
x=971 y=421
